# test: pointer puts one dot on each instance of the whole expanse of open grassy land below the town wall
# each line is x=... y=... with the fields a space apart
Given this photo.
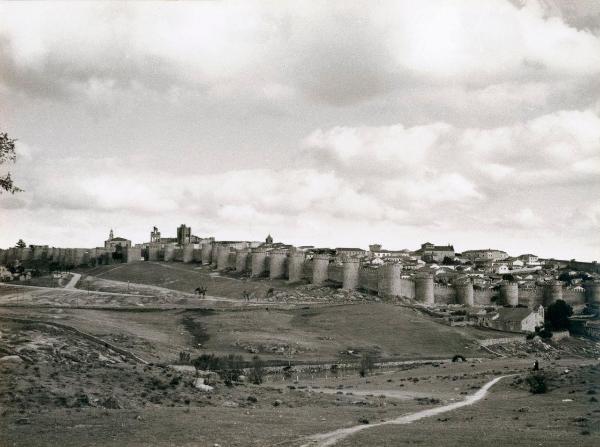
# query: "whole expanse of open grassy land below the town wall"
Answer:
x=96 y=368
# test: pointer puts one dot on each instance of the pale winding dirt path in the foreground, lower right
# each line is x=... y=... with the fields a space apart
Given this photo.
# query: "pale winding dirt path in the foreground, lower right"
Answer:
x=330 y=438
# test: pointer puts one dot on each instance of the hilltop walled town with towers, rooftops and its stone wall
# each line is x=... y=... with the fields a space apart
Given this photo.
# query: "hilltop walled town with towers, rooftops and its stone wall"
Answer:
x=433 y=275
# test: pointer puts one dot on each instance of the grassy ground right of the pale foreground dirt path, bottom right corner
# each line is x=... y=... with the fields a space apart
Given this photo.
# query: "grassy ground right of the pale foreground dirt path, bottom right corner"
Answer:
x=567 y=415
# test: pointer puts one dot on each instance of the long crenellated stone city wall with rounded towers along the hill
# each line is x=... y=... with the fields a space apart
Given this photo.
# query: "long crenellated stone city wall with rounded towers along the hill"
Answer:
x=386 y=281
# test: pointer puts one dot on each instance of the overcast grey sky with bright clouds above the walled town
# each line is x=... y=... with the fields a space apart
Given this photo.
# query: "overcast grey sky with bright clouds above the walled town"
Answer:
x=339 y=123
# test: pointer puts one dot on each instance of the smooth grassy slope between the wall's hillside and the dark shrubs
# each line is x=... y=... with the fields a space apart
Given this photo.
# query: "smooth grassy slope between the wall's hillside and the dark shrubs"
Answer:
x=313 y=334
